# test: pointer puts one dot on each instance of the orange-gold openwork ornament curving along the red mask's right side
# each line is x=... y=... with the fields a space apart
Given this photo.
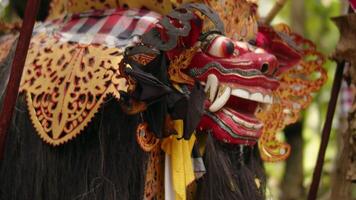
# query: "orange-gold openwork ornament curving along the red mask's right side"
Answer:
x=294 y=94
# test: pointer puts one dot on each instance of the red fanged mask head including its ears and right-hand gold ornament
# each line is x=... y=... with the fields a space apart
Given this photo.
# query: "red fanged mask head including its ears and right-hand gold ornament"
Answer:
x=243 y=81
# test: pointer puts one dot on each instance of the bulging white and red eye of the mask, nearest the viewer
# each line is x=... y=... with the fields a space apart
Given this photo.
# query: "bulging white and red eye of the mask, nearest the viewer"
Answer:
x=221 y=47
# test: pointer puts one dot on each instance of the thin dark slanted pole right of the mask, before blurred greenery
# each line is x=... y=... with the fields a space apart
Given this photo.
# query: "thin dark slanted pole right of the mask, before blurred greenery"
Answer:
x=313 y=191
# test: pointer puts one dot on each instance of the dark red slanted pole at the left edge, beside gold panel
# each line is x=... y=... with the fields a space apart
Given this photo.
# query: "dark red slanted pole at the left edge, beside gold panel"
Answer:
x=18 y=63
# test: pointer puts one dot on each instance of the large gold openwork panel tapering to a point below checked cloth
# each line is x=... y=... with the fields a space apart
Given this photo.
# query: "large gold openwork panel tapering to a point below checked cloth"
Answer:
x=65 y=84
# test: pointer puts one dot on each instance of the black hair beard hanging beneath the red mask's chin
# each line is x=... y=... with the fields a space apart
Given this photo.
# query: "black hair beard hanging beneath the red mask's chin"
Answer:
x=231 y=173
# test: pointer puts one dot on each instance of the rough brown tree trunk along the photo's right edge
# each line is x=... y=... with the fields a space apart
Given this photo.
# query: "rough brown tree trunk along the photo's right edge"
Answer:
x=345 y=171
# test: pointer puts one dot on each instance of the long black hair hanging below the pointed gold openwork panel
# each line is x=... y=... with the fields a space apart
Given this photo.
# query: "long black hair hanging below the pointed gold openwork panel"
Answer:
x=104 y=162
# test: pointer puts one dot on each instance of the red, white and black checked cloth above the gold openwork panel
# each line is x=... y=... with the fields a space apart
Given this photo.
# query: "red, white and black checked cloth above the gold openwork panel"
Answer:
x=113 y=28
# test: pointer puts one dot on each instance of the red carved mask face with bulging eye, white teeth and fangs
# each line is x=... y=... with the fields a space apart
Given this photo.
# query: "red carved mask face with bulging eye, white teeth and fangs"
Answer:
x=239 y=79
